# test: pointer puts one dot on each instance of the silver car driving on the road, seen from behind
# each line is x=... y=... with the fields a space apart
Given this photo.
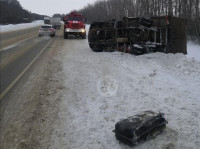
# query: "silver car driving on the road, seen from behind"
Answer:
x=47 y=30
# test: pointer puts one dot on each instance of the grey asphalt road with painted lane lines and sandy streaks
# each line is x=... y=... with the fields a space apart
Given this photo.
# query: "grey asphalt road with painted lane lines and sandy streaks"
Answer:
x=19 y=49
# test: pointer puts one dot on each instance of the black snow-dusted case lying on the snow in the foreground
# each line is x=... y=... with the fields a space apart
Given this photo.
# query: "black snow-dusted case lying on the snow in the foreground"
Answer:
x=139 y=128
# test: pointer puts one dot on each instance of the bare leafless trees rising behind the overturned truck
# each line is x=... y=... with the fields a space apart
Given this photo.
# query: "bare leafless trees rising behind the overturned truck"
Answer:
x=116 y=9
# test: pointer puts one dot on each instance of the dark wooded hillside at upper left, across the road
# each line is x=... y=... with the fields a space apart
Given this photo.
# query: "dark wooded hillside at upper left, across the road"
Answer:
x=11 y=12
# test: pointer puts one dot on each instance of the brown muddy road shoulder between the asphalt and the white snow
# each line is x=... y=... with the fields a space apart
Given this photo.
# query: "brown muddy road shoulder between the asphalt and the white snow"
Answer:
x=30 y=108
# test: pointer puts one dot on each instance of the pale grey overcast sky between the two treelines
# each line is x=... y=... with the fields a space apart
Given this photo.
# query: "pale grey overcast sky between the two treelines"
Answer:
x=50 y=7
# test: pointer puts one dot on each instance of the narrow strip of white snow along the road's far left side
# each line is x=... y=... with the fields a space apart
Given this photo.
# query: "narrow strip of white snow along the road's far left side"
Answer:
x=11 y=27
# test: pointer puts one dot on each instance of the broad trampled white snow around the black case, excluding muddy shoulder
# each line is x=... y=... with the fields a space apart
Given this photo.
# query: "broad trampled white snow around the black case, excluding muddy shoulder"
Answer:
x=102 y=88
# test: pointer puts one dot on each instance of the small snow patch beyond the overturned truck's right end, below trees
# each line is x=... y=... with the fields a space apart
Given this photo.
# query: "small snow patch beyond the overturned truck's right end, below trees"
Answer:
x=193 y=50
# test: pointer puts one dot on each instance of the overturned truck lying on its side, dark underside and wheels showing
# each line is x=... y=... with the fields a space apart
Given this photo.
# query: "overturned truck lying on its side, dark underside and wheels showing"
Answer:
x=139 y=35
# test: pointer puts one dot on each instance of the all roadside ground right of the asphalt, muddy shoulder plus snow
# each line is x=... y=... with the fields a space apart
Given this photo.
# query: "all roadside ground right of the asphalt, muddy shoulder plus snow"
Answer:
x=74 y=100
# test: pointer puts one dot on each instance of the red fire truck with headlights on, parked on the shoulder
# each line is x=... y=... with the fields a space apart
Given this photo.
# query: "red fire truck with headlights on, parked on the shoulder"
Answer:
x=74 y=25
